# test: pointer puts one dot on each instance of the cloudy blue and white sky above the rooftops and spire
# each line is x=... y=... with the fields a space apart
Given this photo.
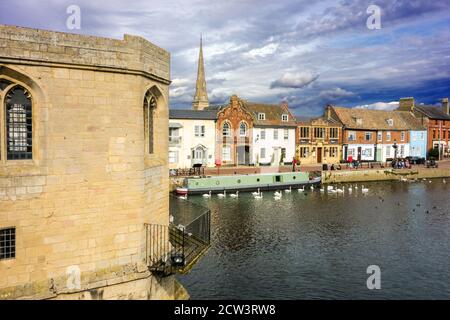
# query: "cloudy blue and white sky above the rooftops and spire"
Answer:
x=308 y=53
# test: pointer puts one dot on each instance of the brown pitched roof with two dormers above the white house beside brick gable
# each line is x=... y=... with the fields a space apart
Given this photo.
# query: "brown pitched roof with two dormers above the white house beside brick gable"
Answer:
x=273 y=114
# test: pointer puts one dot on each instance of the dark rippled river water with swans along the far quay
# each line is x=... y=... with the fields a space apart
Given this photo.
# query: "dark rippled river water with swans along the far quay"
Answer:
x=317 y=245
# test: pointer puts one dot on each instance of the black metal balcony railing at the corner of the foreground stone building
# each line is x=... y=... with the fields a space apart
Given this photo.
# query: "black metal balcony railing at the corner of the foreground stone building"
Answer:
x=176 y=248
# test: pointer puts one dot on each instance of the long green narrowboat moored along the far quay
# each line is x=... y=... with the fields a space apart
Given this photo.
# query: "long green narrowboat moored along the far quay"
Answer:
x=247 y=183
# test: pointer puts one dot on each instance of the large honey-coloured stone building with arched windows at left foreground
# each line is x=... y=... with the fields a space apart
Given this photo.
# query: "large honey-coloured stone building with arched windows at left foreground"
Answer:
x=83 y=165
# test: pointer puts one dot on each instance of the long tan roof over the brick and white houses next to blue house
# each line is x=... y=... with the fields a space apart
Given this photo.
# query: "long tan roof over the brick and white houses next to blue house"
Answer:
x=365 y=119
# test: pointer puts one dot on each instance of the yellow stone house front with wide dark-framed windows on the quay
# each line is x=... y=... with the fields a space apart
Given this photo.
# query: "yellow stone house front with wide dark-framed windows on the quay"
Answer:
x=319 y=142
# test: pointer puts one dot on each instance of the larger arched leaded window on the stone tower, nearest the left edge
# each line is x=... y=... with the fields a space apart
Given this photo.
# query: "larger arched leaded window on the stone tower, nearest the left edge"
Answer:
x=19 y=124
